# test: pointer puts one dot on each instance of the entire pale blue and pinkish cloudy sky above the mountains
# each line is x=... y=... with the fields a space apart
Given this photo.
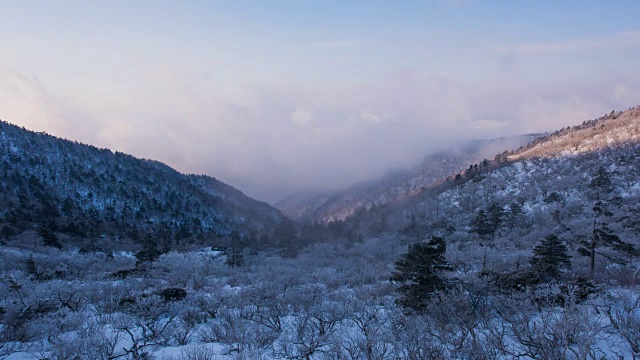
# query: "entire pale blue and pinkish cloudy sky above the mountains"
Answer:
x=276 y=96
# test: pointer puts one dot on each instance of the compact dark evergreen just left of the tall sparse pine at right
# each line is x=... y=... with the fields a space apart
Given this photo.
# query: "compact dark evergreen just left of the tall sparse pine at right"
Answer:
x=550 y=257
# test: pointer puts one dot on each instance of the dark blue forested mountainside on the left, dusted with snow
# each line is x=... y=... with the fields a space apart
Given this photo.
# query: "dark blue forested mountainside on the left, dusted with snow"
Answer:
x=67 y=192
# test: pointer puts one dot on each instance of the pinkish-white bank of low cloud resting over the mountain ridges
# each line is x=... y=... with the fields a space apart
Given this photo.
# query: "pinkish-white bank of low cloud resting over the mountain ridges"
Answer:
x=272 y=140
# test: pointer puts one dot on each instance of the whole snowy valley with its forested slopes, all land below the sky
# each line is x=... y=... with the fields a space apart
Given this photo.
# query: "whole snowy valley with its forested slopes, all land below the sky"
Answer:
x=528 y=253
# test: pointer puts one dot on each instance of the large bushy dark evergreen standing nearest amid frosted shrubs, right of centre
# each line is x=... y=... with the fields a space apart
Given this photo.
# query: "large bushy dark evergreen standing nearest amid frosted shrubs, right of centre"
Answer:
x=420 y=273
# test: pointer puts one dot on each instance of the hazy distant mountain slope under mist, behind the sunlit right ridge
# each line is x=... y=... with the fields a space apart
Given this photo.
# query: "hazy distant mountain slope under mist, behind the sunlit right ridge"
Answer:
x=327 y=207
